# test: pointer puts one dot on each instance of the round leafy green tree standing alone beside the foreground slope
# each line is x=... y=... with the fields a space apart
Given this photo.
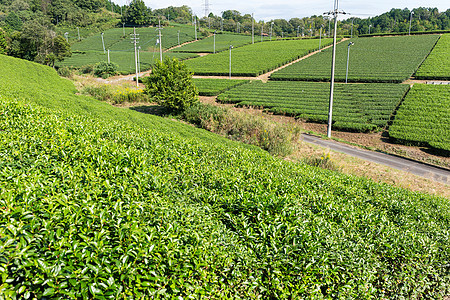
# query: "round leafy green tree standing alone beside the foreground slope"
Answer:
x=170 y=84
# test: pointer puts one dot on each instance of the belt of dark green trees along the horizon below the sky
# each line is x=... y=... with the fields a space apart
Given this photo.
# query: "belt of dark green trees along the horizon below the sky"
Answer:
x=28 y=28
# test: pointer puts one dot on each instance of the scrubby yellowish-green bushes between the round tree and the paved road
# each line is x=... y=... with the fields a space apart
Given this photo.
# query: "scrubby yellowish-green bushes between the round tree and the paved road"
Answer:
x=277 y=139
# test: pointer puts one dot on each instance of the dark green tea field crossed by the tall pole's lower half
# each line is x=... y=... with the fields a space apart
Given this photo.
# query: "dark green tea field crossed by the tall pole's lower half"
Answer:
x=357 y=107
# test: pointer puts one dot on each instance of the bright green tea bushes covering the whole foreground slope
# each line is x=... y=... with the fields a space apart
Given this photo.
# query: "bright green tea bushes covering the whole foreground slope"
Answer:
x=96 y=200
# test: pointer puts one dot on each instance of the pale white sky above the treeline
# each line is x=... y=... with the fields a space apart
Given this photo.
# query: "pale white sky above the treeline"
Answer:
x=287 y=9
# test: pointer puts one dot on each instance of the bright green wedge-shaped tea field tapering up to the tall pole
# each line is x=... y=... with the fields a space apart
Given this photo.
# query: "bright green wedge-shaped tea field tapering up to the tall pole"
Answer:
x=255 y=59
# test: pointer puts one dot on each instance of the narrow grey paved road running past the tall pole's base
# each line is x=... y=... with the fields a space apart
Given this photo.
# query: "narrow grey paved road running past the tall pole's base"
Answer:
x=420 y=169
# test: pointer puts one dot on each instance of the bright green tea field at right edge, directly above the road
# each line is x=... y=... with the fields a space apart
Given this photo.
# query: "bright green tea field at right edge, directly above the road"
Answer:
x=424 y=117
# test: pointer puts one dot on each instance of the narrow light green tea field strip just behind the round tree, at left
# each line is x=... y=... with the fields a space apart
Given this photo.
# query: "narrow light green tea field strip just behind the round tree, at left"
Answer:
x=124 y=59
